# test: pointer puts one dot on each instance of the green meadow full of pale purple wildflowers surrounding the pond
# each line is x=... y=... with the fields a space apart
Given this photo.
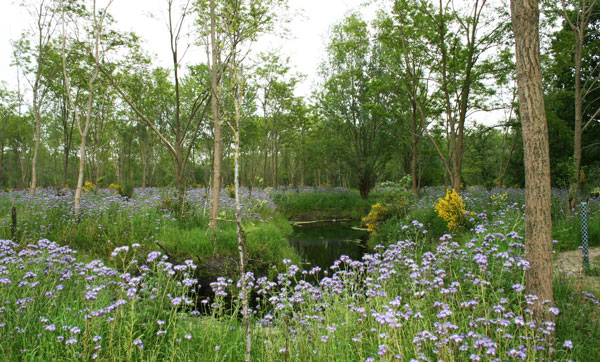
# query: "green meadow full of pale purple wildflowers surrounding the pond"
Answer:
x=121 y=281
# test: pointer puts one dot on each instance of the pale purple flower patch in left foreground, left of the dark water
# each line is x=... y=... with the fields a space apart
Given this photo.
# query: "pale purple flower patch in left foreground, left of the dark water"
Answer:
x=82 y=309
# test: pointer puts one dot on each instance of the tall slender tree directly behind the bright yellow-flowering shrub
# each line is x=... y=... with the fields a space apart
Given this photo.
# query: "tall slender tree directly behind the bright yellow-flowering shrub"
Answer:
x=460 y=76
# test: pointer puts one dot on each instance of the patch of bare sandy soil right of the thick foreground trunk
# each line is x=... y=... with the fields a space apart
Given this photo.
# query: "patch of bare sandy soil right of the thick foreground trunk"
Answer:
x=569 y=264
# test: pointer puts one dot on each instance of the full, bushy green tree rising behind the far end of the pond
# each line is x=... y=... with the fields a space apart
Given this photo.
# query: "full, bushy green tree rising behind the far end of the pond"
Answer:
x=354 y=105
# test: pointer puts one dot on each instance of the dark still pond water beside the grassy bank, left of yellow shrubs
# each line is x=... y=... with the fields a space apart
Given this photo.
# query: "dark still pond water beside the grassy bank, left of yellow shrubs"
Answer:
x=320 y=244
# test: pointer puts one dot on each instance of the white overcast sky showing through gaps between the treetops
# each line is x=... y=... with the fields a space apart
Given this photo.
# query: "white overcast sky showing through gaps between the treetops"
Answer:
x=305 y=48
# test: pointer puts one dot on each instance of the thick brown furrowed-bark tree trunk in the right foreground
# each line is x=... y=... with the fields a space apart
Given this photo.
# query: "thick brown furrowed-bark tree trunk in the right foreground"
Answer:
x=538 y=222
